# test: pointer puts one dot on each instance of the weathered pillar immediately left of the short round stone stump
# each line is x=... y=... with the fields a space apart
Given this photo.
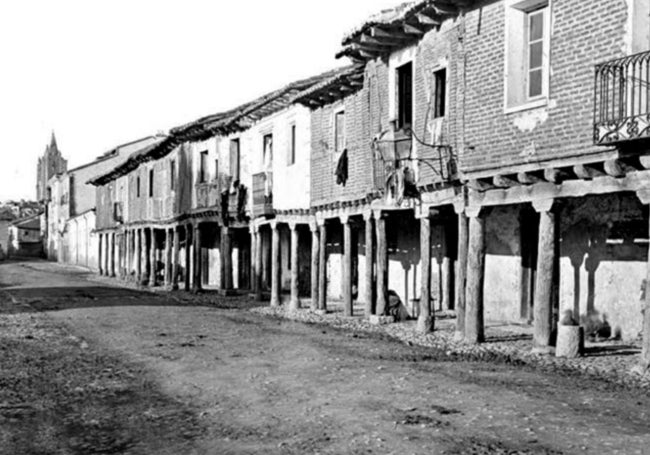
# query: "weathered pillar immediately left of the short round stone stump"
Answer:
x=543 y=307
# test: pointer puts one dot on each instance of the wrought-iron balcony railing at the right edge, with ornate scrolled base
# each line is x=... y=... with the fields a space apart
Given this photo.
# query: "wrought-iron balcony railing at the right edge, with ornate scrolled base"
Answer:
x=622 y=100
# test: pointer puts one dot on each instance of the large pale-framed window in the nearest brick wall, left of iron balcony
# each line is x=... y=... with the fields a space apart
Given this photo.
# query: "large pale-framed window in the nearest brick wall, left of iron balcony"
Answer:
x=527 y=50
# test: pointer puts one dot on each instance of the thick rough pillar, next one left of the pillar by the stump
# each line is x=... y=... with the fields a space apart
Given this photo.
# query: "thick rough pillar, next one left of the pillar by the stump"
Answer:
x=474 y=324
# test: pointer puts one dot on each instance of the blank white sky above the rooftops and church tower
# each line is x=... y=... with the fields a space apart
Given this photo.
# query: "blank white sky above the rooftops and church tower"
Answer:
x=101 y=73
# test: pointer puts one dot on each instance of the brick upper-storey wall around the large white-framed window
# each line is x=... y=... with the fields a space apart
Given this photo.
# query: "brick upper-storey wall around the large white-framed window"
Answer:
x=582 y=35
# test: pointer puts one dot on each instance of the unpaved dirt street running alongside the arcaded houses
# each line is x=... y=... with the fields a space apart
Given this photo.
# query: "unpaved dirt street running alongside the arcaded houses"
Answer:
x=215 y=379
